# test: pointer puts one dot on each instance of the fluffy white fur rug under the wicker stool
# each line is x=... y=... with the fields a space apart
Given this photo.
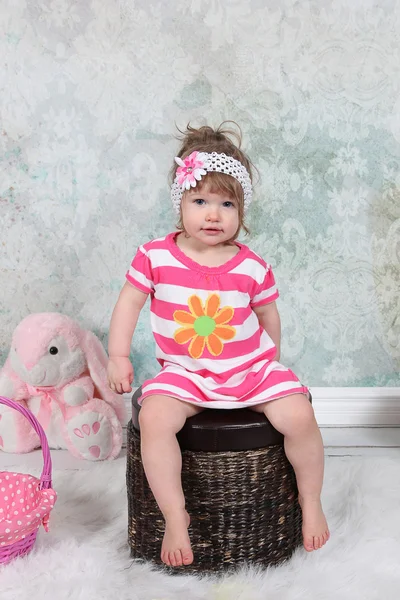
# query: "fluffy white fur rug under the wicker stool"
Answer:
x=85 y=555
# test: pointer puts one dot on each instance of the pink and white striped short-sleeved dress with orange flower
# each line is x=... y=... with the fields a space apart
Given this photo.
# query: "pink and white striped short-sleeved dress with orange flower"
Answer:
x=209 y=342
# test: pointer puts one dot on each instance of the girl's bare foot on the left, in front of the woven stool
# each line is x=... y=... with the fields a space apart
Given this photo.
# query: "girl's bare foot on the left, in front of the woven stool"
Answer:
x=176 y=550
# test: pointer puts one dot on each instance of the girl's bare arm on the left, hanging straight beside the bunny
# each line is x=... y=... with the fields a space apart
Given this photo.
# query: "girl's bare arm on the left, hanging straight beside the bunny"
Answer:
x=123 y=323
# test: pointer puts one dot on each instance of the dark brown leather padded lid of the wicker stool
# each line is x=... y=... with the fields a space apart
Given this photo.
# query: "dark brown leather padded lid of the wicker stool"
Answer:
x=219 y=430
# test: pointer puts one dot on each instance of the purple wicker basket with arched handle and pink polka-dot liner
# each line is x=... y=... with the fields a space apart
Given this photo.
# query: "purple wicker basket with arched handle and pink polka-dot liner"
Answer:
x=25 y=501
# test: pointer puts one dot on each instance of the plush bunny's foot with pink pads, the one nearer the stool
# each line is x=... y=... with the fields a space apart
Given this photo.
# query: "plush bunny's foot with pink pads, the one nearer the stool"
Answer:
x=91 y=435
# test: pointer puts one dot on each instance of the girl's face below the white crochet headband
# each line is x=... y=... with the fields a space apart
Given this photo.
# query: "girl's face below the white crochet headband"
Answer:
x=210 y=218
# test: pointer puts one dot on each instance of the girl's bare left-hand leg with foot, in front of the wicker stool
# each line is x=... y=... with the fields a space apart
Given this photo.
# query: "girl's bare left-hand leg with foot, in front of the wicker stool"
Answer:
x=160 y=418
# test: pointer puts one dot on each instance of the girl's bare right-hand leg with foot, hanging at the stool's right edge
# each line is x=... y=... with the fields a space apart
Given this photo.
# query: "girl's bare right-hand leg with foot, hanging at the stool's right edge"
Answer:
x=294 y=417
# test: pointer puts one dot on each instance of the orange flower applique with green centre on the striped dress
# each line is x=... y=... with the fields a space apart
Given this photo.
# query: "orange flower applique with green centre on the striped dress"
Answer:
x=204 y=325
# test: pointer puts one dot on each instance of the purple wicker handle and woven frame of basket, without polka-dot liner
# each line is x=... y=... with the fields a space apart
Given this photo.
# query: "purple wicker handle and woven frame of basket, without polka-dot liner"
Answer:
x=24 y=545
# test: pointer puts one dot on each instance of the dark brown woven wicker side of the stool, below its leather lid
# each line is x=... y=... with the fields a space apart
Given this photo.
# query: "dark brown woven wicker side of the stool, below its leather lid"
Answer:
x=243 y=508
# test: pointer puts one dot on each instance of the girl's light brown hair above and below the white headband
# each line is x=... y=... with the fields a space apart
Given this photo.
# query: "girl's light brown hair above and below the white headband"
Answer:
x=207 y=139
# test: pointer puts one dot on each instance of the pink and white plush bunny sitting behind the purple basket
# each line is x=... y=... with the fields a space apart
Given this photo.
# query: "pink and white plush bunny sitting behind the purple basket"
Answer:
x=58 y=371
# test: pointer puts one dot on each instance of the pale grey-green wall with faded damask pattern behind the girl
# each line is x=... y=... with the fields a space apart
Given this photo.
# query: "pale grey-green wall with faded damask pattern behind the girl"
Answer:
x=89 y=95
